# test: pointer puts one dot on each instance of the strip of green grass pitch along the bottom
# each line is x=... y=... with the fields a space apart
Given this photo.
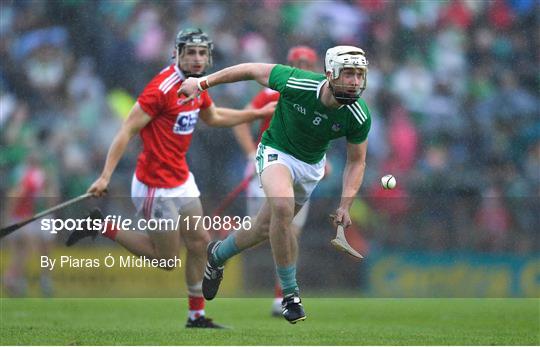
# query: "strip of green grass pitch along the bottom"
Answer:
x=329 y=322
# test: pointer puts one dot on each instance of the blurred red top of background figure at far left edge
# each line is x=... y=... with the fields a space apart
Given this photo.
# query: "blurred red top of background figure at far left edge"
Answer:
x=31 y=186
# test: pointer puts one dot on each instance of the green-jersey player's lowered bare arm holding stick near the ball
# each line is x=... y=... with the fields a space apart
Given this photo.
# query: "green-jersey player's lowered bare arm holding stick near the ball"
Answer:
x=353 y=175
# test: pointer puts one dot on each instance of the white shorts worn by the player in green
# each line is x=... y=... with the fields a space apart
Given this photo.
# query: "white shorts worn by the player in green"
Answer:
x=305 y=176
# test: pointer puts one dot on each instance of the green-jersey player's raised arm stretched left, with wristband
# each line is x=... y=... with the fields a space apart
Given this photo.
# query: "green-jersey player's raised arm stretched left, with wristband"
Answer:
x=259 y=72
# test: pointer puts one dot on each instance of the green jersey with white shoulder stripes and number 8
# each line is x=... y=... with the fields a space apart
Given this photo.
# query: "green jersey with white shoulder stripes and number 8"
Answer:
x=302 y=126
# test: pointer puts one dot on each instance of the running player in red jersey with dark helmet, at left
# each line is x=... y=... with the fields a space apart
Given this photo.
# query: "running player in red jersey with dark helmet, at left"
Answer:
x=162 y=186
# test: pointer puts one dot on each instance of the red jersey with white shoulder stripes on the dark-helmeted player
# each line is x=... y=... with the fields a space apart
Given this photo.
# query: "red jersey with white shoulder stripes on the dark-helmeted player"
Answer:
x=166 y=138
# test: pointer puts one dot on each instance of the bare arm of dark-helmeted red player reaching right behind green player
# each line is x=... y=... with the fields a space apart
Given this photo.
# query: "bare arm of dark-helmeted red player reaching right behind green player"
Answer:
x=227 y=117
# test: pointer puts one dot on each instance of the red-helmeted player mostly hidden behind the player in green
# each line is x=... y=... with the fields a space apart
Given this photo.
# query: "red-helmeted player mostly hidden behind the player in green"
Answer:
x=301 y=57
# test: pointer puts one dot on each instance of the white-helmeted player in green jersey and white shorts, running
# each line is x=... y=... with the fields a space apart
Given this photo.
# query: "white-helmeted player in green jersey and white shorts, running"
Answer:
x=313 y=109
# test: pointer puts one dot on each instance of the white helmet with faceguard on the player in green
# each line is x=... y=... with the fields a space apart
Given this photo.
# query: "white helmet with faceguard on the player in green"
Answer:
x=339 y=58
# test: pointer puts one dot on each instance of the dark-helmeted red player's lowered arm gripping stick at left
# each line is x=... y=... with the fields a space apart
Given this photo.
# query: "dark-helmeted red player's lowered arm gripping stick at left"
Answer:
x=136 y=120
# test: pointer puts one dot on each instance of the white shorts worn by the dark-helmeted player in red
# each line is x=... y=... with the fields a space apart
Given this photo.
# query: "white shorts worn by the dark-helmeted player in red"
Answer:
x=157 y=203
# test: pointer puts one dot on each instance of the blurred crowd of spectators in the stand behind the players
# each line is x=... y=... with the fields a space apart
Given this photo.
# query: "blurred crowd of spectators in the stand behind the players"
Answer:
x=453 y=89
